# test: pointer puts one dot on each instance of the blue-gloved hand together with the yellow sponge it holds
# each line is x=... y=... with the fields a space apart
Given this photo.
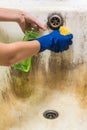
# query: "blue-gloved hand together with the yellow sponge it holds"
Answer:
x=56 y=41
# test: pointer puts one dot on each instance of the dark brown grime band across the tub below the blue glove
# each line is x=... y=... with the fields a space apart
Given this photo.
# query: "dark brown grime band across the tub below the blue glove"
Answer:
x=62 y=76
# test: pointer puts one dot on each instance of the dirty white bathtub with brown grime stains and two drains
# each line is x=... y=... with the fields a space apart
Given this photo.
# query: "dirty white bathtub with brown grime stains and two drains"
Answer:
x=55 y=82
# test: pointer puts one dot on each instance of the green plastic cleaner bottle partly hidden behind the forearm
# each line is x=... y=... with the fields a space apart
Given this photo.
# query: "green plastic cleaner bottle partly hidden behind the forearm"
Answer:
x=25 y=65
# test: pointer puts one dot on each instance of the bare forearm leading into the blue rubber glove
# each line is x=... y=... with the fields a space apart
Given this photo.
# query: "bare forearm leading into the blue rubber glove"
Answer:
x=18 y=51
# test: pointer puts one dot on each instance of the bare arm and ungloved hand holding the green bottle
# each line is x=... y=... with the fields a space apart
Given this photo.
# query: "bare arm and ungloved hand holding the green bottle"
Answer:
x=22 y=18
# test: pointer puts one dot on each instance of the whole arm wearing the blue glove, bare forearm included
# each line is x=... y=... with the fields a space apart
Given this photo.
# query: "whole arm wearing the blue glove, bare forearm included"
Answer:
x=19 y=51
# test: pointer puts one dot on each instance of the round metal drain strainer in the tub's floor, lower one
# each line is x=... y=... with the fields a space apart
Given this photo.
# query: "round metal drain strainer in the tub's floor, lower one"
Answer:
x=50 y=114
